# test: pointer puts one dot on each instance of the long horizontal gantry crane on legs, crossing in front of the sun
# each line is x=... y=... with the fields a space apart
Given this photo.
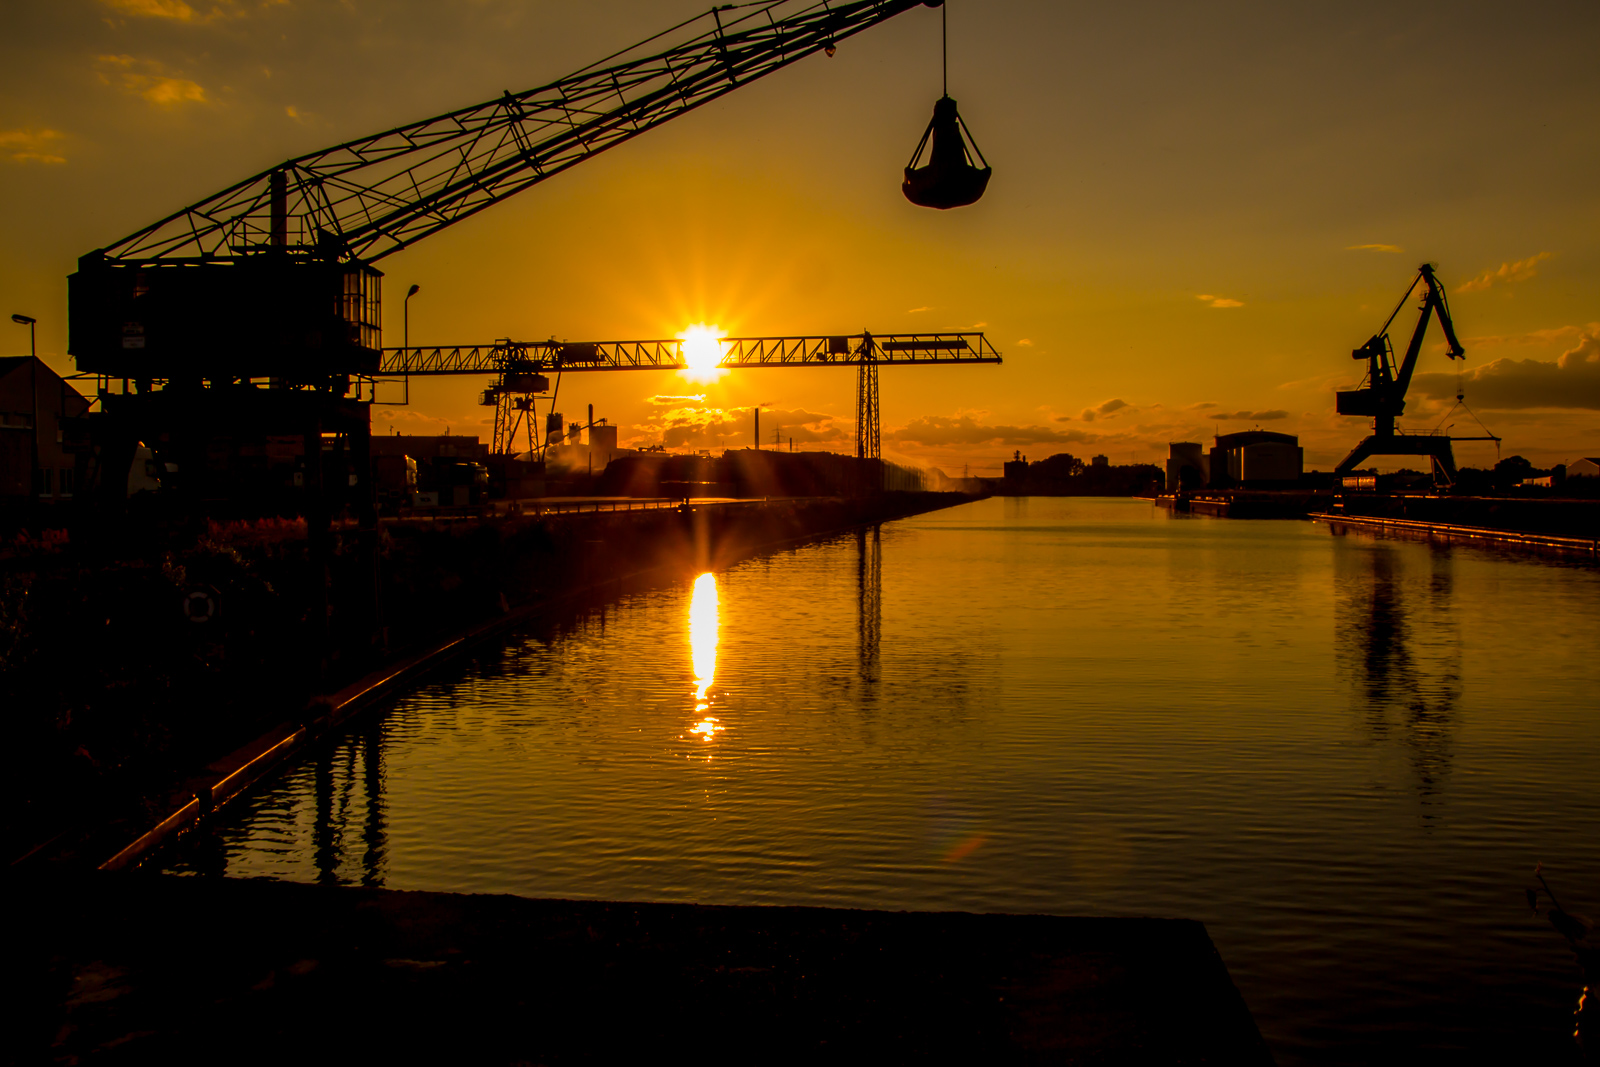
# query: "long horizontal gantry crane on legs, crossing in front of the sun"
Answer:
x=522 y=369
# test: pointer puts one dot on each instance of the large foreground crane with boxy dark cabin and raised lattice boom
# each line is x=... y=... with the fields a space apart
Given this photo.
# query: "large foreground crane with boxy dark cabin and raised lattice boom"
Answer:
x=255 y=310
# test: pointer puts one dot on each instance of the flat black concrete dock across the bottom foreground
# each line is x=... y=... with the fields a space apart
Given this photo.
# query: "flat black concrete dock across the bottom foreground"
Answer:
x=143 y=969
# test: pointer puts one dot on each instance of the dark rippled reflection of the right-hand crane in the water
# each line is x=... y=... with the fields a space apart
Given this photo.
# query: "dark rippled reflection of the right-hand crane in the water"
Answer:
x=1407 y=676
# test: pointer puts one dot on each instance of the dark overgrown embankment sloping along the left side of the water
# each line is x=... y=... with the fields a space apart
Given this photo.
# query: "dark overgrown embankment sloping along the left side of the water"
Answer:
x=132 y=660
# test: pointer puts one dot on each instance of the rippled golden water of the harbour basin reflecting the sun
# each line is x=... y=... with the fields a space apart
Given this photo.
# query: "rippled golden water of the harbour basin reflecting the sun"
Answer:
x=1343 y=754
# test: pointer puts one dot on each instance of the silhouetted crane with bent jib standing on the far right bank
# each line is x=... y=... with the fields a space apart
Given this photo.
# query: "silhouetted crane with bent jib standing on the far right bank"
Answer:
x=1382 y=394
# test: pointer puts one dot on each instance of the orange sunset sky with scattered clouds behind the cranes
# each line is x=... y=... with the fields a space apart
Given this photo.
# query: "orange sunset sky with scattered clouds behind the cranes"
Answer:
x=1196 y=212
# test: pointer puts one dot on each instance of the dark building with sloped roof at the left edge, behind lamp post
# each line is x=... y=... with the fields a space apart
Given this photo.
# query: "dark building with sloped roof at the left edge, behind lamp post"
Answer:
x=38 y=409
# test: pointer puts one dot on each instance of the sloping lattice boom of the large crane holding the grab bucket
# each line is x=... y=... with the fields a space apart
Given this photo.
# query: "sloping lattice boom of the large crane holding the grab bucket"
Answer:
x=372 y=198
